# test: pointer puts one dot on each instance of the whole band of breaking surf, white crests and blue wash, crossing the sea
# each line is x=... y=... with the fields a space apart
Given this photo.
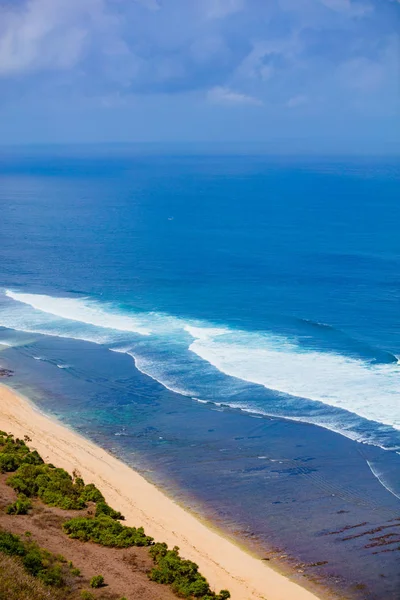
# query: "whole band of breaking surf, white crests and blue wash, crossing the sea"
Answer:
x=262 y=372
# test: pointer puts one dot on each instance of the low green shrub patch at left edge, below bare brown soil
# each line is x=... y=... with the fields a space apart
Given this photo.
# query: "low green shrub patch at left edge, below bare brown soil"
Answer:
x=37 y=562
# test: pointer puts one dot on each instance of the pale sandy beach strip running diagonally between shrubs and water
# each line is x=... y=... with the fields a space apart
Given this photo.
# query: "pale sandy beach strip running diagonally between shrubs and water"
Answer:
x=223 y=563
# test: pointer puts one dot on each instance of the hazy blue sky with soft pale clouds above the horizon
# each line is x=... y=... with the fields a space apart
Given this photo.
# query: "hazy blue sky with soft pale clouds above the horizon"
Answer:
x=289 y=75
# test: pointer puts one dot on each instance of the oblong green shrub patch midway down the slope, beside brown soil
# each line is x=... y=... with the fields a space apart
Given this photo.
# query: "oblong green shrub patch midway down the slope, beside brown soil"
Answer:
x=106 y=531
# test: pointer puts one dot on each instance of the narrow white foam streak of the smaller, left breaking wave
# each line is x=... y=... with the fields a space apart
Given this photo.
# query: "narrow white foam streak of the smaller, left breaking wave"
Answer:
x=82 y=310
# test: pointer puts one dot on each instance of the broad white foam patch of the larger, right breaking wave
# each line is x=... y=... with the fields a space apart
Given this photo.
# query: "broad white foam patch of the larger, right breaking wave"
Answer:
x=368 y=390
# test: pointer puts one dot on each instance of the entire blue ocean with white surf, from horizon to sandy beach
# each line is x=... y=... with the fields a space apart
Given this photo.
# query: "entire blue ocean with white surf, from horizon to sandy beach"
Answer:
x=227 y=324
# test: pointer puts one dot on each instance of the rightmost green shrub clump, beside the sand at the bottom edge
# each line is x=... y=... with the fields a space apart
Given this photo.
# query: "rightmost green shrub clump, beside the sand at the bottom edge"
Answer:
x=182 y=575
